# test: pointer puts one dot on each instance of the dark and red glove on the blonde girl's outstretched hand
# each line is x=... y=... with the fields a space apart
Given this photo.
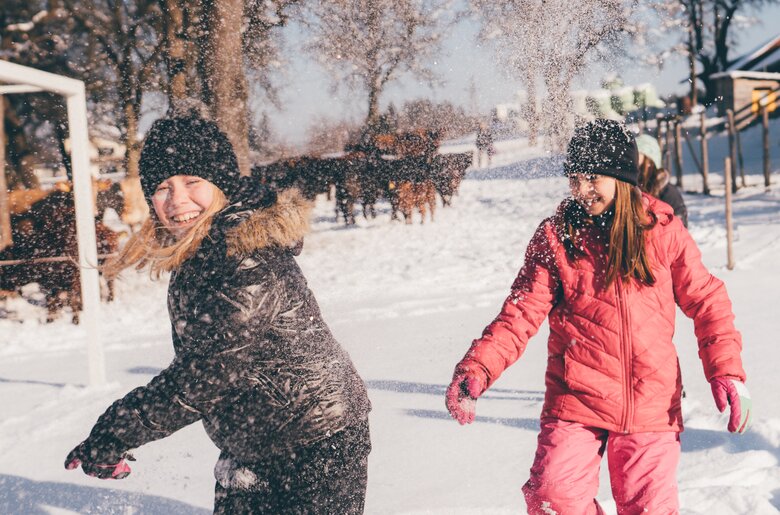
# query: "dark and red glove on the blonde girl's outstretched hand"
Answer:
x=102 y=459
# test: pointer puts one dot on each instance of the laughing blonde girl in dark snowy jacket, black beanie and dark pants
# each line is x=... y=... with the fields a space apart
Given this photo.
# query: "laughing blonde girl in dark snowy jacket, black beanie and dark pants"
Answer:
x=254 y=362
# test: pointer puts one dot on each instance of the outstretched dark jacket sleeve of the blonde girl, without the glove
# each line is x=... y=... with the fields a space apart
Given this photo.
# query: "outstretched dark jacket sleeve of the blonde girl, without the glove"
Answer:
x=199 y=380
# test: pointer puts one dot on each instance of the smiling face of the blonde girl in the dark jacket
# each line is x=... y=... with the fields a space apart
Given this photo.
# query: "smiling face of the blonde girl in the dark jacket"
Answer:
x=181 y=200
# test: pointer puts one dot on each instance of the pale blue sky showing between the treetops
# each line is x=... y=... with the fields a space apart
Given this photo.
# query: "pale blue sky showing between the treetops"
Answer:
x=307 y=91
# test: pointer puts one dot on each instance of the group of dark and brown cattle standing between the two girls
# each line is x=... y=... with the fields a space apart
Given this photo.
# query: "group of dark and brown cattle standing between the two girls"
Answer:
x=362 y=179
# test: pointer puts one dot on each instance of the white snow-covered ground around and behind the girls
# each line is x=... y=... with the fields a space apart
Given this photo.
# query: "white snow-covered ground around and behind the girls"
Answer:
x=405 y=301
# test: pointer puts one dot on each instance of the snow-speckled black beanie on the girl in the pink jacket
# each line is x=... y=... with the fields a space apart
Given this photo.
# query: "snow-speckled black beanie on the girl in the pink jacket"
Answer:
x=603 y=147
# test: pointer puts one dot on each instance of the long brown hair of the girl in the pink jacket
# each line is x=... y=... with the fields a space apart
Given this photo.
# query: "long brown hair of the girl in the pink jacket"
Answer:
x=627 y=254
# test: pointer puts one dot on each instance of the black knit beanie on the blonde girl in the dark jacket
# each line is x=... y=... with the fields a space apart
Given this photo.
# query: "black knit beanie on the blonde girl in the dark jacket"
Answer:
x=188 y=145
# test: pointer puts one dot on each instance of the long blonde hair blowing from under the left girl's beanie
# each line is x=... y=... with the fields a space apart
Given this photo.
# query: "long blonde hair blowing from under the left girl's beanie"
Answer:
x=156 y=247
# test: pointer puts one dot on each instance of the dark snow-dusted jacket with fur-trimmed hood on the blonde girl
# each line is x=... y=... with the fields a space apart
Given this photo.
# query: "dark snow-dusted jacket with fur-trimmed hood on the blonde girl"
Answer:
x=254 y=359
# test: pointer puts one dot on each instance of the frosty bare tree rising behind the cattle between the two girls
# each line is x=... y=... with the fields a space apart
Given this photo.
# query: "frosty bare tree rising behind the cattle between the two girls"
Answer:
x=366 y=44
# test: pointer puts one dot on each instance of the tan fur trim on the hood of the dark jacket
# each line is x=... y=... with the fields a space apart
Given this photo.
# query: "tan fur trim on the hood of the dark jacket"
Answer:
x=283 y=224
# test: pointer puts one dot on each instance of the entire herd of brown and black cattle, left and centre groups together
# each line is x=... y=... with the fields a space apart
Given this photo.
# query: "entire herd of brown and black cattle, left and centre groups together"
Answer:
x=43 y=230
